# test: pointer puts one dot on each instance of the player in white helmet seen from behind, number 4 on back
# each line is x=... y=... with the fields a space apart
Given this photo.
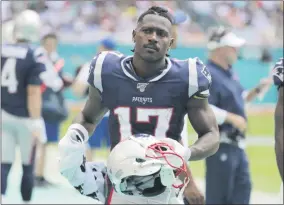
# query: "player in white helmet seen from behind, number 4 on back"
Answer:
x=21 y=100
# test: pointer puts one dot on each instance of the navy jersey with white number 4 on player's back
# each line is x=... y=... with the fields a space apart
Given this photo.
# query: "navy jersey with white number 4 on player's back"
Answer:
x=21 y=66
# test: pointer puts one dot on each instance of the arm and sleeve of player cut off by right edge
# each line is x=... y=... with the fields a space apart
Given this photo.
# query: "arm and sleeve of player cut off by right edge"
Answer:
x=278 y=72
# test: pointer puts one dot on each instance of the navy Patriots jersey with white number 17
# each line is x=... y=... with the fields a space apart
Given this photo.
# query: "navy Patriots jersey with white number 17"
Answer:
x=155 y=106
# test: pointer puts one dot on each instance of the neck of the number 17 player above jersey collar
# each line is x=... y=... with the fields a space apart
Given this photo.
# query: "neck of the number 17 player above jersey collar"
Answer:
x=146 y=69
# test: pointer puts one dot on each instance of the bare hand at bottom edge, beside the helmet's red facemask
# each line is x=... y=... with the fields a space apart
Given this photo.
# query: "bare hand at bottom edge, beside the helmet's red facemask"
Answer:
x=193 y=195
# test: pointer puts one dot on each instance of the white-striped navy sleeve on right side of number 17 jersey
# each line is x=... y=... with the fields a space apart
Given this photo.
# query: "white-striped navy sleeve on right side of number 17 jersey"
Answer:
x=199 y=79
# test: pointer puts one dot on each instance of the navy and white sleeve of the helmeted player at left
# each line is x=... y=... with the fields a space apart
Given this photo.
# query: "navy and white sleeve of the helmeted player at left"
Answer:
x=39 y=59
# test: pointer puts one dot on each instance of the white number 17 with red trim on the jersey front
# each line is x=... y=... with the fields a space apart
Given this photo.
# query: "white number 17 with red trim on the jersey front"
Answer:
x=143 y=115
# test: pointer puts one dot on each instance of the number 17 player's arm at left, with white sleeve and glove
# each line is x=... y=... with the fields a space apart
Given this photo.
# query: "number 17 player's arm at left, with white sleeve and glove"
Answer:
x=72 y=163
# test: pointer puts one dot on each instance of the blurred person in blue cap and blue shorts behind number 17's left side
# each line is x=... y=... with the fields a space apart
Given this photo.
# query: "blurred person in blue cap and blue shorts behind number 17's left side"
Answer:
x=80 y=88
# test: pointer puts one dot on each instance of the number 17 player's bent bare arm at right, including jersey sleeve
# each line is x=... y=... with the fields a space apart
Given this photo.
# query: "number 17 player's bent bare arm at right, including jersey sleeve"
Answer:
x=201 y=115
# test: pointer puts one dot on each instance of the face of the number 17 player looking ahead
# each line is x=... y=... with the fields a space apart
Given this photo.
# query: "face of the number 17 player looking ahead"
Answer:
x=153 y=38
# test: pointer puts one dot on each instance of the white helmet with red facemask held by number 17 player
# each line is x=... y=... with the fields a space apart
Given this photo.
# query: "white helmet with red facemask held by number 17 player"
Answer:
x=145 y=166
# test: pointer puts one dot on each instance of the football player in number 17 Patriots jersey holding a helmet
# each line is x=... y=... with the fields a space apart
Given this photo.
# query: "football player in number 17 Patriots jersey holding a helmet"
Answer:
x=145 y=93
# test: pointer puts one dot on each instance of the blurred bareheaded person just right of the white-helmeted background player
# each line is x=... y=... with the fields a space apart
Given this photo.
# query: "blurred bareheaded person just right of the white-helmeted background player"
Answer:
x=54 y=109
